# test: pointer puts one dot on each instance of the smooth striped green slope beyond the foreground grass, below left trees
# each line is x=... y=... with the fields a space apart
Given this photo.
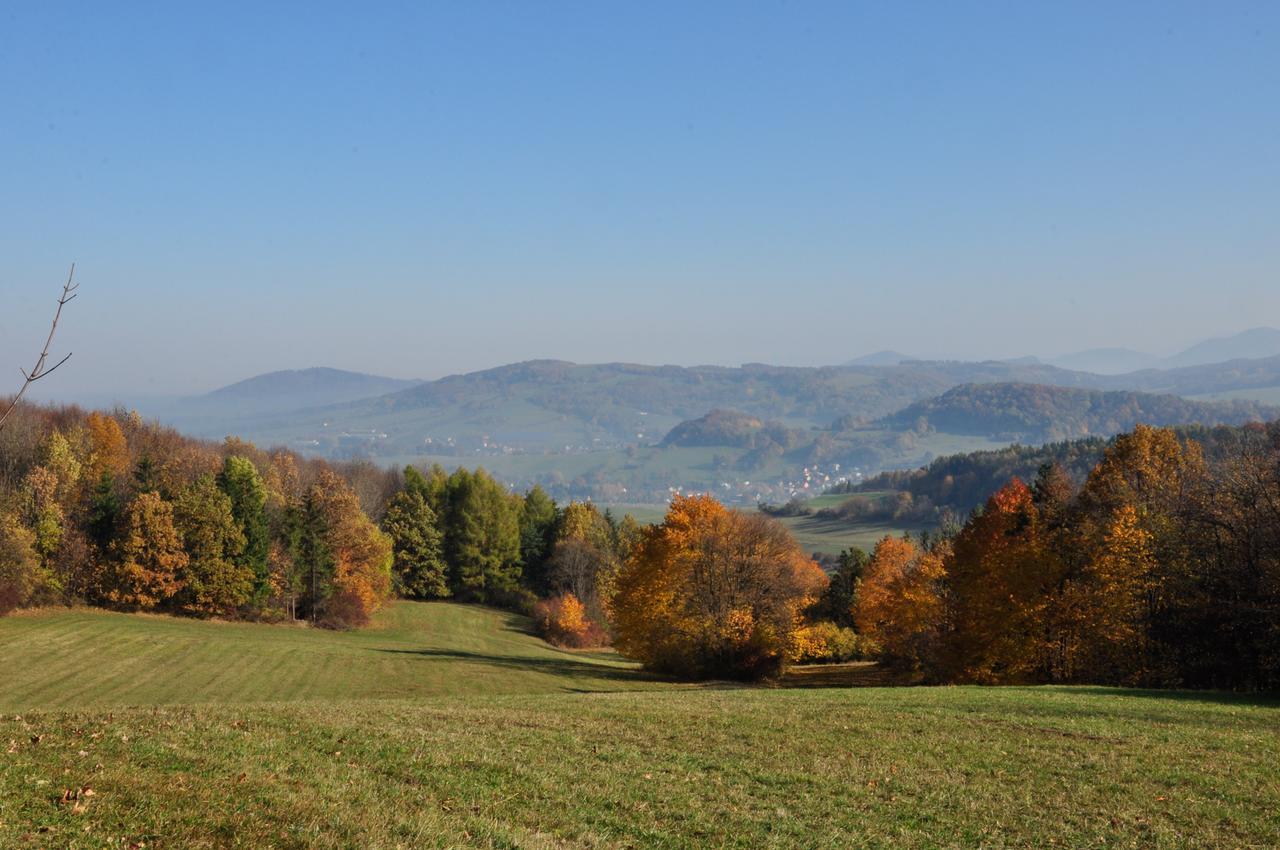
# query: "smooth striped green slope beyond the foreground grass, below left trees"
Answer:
x=94 y=659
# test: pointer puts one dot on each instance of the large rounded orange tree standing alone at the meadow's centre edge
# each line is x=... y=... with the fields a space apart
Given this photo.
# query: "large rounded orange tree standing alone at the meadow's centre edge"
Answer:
x=712 y=592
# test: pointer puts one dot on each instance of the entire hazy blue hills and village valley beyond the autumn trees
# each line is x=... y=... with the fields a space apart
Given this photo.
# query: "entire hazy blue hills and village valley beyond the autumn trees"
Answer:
x=629 y=432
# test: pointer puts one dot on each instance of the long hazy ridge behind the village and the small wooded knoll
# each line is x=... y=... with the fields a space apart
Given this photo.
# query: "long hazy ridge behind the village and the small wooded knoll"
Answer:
x=557 y=406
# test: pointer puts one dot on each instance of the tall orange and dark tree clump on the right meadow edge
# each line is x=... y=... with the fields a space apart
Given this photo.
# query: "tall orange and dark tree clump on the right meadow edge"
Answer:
x=1163 y=569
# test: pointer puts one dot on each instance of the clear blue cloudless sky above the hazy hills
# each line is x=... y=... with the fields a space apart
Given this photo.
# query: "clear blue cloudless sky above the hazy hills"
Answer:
x=424 y=189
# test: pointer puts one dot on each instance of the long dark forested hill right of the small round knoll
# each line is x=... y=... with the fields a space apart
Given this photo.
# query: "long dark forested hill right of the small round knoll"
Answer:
x=1039 y=414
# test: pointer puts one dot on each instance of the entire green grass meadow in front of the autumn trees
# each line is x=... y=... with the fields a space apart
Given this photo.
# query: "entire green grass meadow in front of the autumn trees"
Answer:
x=493 y=741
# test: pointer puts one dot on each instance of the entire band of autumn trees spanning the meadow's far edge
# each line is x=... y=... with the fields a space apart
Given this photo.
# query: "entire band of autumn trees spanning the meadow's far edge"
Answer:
x=1160 y=568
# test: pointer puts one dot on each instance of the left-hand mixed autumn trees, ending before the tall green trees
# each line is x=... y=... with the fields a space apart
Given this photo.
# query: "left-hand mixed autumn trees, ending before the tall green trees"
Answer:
x=108 y=510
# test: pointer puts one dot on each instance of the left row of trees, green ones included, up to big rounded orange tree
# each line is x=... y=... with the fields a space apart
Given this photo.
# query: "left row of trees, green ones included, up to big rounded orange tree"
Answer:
x=109 y=510
